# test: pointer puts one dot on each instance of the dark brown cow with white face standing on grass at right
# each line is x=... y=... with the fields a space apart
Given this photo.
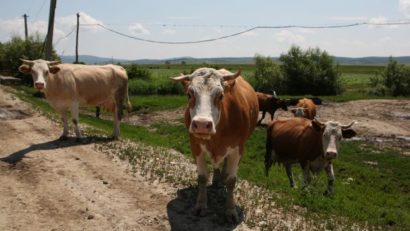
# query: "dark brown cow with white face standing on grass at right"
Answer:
x=311 y=143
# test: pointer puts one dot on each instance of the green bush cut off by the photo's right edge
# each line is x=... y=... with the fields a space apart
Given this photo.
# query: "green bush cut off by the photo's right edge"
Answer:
x=397 y=78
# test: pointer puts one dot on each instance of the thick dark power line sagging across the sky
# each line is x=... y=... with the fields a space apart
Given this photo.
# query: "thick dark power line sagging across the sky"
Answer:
x=249 y=30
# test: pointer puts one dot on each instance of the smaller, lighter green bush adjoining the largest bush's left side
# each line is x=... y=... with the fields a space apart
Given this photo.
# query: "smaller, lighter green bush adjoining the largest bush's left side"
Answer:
x=268 y=76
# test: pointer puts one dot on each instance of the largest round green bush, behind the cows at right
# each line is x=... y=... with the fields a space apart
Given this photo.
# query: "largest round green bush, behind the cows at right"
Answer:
x=310 y=72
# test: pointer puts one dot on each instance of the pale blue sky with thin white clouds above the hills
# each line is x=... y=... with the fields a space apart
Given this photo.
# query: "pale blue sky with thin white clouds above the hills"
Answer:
x=195 y=20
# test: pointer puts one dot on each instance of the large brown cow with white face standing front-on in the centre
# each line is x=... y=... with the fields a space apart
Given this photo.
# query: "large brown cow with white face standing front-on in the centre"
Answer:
x=221 y=114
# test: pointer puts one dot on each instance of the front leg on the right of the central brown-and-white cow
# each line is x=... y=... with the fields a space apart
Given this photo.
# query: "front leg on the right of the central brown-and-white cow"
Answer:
x=233 y=158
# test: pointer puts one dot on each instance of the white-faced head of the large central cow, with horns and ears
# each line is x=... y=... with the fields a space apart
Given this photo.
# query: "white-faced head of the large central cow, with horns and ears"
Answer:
x=205 y=90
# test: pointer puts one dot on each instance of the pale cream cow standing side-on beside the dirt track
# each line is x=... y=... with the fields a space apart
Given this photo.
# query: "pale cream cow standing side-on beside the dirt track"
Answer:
x=67 y=86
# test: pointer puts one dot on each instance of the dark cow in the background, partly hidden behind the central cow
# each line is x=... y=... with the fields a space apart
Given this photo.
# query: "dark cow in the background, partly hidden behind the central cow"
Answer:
x=270 y=103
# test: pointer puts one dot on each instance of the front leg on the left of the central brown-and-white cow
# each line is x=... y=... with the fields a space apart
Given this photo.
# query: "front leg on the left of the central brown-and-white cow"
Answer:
x=201 y=200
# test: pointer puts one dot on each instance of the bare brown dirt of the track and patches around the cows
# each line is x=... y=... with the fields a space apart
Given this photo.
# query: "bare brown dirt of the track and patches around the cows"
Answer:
x=47 y=184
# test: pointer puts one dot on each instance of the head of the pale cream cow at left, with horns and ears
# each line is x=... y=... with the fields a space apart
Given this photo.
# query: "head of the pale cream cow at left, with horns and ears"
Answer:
x=39 y=70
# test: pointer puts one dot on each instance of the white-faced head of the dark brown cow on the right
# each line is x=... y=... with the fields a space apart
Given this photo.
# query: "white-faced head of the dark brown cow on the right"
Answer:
x=332 y=133
